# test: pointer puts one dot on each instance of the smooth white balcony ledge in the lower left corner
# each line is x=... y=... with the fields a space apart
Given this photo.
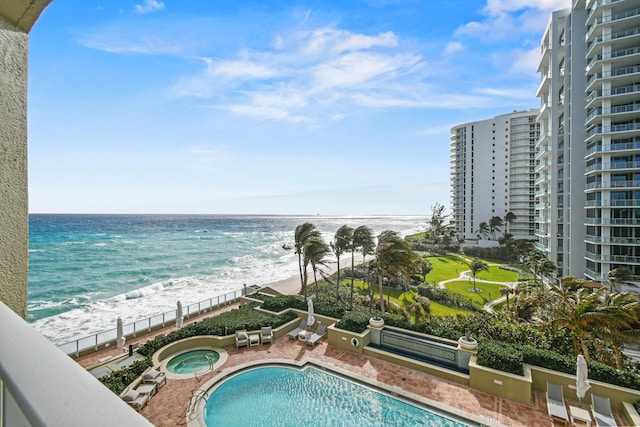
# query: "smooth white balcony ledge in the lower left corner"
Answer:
x=42 y=386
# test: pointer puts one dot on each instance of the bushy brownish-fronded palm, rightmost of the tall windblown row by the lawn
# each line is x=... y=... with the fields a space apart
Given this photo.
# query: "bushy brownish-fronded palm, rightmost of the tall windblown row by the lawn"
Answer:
x=394 y=257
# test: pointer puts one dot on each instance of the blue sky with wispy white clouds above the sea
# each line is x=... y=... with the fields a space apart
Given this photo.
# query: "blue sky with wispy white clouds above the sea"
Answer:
x=267 y=107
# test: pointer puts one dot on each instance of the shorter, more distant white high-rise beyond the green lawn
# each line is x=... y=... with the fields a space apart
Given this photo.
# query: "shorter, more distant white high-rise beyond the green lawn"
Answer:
x=492 y=171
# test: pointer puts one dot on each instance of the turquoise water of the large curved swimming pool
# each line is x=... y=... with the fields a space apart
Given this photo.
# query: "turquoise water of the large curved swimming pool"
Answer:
x=280 y=396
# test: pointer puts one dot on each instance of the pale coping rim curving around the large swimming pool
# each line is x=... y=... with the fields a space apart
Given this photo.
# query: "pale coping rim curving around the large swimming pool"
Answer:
x=196 y=417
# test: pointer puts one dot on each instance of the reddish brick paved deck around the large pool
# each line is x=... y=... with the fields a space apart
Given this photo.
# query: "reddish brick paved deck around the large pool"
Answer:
x=167 y=408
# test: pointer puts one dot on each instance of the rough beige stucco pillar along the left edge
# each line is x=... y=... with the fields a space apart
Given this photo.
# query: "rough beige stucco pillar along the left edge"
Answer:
x=14 y=225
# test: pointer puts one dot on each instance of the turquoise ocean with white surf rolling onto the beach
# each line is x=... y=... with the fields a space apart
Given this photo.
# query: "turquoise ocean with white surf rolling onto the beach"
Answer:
x=85 y=271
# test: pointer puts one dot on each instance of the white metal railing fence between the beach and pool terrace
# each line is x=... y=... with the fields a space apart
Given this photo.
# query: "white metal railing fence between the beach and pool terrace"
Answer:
x=147 y=325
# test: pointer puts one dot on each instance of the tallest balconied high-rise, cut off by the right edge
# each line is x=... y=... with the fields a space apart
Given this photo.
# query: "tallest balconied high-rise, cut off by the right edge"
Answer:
x=588 y=155
